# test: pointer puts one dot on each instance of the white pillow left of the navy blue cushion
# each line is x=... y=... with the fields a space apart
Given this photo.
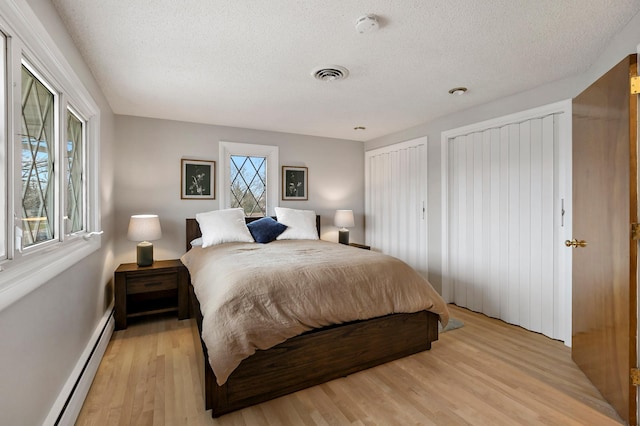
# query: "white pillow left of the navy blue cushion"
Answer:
x=223 y=226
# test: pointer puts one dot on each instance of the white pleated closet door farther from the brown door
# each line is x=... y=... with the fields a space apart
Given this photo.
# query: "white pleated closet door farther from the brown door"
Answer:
x=395 y=210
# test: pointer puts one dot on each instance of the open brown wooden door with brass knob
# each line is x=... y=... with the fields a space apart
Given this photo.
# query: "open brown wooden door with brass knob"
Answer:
x=604 y=206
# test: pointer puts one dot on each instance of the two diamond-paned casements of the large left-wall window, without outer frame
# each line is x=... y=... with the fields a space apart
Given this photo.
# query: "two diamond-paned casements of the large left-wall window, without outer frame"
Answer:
x=39 y=180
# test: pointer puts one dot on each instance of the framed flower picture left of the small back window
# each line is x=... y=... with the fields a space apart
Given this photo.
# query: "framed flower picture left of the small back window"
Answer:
x=198 y=180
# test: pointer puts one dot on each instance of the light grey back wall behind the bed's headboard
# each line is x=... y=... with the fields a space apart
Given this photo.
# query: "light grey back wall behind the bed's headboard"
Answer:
x=147 y=176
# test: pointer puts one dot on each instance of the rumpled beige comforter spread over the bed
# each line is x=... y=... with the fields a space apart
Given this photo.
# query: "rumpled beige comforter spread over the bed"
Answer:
x=255 y=296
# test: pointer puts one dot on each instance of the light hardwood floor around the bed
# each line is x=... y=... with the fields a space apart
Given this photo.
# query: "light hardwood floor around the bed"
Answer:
x=485 y=373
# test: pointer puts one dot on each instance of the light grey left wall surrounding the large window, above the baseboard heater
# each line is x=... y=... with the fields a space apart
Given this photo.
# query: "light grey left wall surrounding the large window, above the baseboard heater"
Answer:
x=43 y=335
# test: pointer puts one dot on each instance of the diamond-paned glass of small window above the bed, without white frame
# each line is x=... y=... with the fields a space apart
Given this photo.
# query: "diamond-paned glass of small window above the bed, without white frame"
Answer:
x=249 y=184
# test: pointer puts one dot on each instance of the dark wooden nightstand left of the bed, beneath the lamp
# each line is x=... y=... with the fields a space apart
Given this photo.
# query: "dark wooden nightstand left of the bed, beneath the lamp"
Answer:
x=146 y=290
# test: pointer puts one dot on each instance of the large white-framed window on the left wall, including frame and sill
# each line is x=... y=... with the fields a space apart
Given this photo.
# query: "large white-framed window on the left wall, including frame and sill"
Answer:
x=49 y=157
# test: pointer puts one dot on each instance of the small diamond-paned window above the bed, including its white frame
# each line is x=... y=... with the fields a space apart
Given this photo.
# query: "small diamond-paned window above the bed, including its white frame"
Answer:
x=249 y=177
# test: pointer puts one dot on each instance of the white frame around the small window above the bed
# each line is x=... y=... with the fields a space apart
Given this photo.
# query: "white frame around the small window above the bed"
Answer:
x=270 y=152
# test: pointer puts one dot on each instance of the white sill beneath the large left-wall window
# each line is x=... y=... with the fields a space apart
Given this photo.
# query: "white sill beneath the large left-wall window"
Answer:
x=21 y=278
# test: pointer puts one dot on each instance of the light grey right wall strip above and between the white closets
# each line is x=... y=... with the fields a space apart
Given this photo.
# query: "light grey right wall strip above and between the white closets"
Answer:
x=620 y=46
